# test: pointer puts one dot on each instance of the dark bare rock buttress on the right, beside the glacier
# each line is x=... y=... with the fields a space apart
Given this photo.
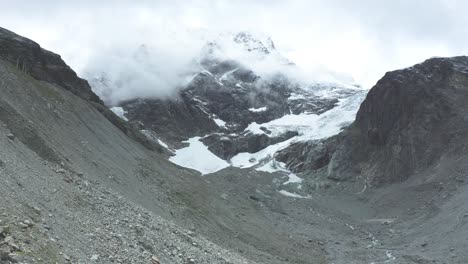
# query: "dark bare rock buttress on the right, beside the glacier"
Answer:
x=409 y=120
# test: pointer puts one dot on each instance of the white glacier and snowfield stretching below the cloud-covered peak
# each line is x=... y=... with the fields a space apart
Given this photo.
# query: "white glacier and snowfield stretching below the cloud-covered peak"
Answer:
x=310 y=127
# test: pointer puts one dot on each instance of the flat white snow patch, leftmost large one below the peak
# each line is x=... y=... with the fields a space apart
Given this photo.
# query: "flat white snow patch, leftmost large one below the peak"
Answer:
x=197 y=156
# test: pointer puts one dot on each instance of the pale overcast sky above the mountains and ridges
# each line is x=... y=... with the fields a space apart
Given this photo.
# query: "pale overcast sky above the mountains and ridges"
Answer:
x=362 y=38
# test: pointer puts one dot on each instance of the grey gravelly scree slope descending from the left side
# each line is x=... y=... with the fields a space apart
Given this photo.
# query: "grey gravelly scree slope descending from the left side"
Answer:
x=76 y=189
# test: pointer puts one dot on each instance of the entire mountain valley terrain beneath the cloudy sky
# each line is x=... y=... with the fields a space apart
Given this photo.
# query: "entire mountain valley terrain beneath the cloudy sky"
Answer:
x=247 y=162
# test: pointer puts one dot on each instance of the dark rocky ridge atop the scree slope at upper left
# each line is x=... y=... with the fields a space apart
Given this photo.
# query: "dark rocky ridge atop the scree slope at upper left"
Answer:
x=42 y=64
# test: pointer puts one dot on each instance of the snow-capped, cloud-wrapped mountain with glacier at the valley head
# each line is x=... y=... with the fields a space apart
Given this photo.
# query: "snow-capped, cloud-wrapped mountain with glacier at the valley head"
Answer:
x=241 y=106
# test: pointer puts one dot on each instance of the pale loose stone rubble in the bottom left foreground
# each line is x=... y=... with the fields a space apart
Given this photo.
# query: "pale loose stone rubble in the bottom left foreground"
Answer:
x=110 y=230
